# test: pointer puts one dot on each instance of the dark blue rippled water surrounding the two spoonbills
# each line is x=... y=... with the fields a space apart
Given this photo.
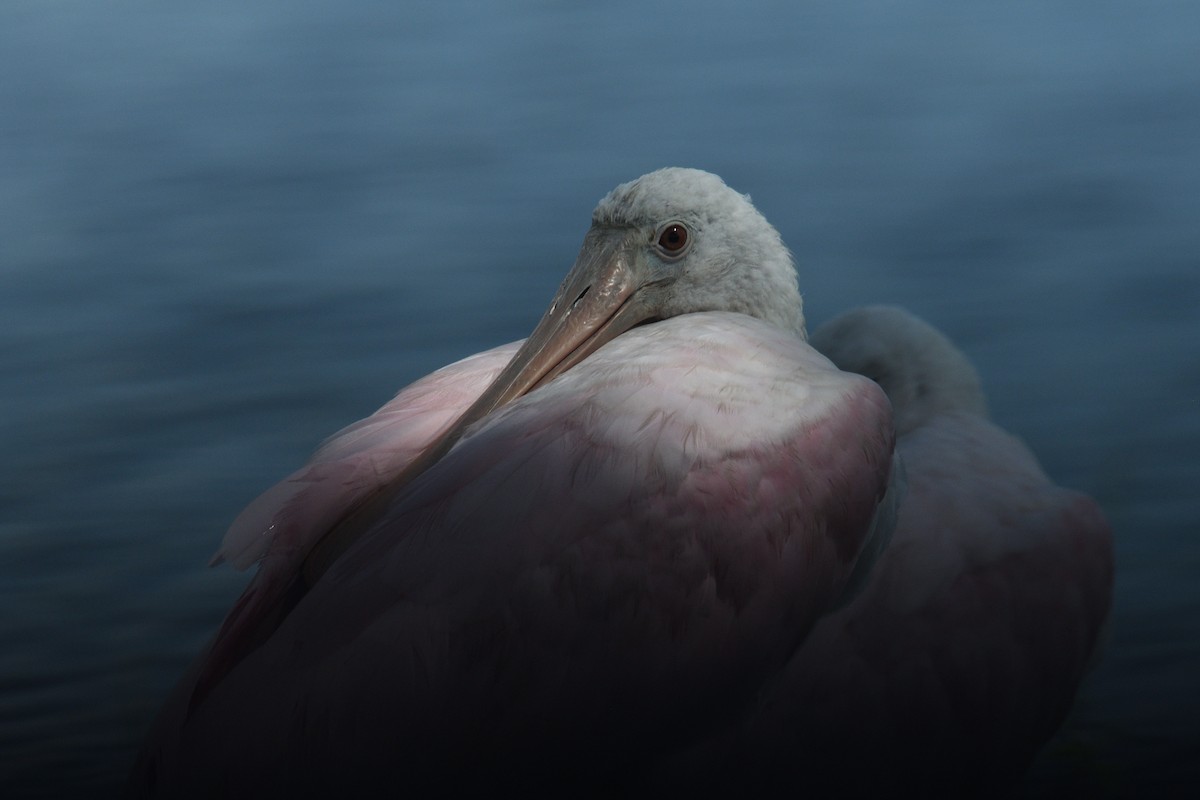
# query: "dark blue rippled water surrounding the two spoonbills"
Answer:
x=230 y=228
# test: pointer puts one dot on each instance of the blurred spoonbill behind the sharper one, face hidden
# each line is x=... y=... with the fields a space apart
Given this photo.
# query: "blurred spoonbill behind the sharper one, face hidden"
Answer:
x=962 y=657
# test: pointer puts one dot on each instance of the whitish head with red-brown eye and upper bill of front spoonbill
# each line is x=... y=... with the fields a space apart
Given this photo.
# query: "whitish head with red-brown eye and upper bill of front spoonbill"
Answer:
x=674 y=242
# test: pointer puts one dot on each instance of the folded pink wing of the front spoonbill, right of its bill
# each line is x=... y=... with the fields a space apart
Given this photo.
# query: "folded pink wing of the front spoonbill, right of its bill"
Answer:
x=663 y=524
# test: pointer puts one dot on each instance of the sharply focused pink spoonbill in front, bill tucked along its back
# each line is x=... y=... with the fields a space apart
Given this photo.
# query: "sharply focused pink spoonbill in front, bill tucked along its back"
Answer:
x=559 y=566
